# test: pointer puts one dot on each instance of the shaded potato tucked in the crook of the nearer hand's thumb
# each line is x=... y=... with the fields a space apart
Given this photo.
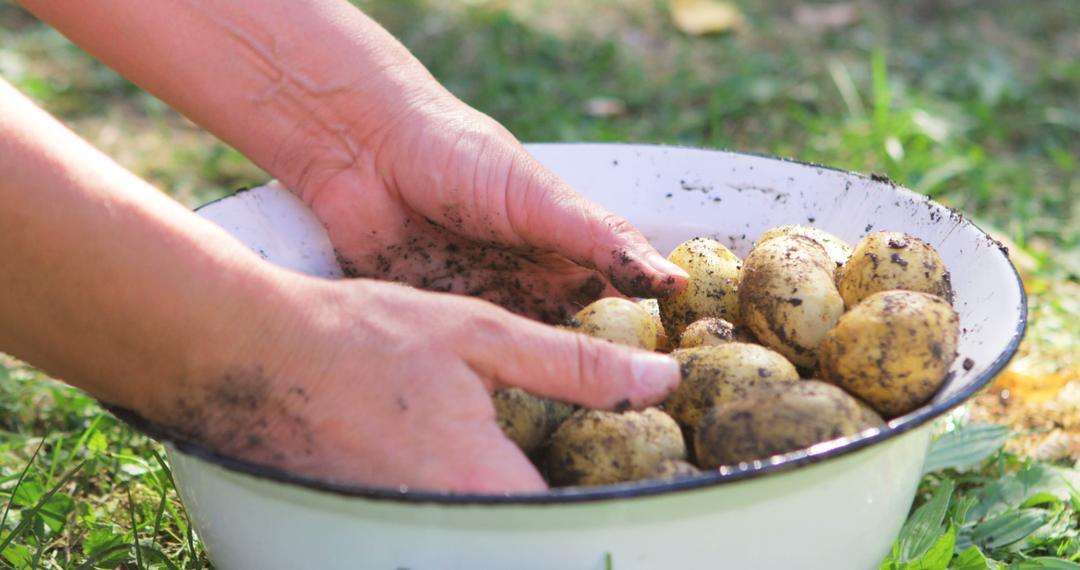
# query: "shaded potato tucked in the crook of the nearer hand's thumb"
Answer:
x=526 y=419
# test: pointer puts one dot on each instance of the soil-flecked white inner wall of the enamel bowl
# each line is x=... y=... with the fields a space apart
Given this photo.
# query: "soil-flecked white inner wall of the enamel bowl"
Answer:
x=677 y=194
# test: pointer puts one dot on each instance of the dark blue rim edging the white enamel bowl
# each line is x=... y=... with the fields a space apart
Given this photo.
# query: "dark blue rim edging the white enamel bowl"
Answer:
x=632 y=491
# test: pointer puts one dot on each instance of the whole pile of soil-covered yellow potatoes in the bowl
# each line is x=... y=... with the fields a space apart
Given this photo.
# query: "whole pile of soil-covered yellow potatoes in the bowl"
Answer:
x=805 y=341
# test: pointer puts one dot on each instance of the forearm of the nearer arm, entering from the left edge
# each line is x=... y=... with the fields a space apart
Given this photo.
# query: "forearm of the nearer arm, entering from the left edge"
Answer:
x=105 y=282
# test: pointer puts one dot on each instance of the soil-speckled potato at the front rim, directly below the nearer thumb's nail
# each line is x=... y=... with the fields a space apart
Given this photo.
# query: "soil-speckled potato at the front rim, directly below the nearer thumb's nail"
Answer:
x=596 y=447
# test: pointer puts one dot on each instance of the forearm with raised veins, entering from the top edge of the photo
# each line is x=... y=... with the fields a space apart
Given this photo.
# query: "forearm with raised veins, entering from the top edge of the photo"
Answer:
x=266 y=76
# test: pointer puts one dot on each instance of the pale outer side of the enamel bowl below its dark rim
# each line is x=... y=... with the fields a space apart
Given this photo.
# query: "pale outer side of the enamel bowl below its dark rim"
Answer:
x=839 y=514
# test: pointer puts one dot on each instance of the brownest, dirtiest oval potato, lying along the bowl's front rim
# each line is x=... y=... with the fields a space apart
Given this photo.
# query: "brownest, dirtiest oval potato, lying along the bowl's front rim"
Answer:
x=777 y=418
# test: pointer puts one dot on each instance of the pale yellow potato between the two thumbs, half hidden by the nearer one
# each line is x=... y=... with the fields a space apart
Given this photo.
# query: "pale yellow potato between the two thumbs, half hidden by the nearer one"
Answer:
x=617 y=320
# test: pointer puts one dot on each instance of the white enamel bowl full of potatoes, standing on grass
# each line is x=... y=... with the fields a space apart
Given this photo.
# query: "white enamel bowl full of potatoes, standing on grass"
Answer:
x=834 y=507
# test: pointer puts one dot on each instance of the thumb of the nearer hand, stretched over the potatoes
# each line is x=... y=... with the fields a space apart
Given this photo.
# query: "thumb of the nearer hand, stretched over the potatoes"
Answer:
x=507 y=350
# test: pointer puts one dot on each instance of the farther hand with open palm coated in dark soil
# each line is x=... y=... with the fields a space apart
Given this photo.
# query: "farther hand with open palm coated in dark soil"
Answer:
x=445 y=199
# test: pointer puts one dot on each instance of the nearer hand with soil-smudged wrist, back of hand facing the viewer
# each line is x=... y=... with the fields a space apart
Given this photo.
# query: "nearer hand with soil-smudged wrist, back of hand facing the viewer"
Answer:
x=385 y=385
